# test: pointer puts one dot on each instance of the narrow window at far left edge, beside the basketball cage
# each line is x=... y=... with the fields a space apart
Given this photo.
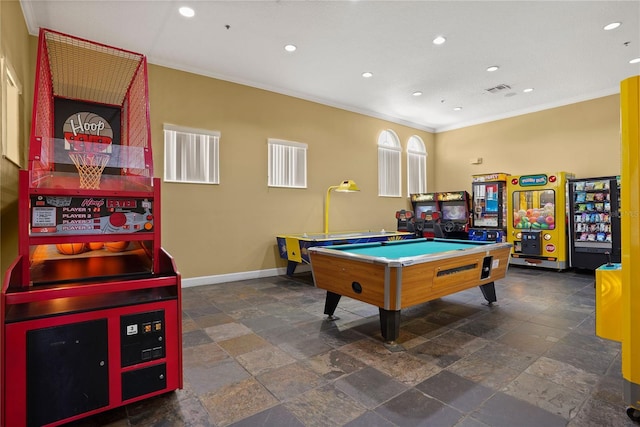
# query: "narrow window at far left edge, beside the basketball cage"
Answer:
x=11 y=92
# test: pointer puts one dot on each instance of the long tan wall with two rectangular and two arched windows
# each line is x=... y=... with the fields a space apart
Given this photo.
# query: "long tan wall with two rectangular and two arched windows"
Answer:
x=231 y=227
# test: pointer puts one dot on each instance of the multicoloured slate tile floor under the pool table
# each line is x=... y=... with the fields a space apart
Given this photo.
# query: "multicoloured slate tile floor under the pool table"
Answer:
x=260 y=353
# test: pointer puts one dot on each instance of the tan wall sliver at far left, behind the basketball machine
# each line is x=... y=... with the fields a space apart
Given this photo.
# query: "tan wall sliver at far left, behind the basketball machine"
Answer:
x=14 y=46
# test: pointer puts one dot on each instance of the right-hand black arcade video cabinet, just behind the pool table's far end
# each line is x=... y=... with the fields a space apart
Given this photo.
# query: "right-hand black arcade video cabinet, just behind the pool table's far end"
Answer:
x=456 y=213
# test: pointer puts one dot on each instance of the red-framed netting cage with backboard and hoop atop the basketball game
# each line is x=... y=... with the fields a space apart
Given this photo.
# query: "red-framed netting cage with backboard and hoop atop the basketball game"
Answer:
x=90 y=125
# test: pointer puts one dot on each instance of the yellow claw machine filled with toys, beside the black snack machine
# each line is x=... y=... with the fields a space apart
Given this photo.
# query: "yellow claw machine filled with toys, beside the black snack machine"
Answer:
x=536 y=220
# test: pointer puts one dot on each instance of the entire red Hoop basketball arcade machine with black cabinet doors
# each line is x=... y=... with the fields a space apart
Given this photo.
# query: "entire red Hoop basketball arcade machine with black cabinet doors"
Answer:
x=91 y=331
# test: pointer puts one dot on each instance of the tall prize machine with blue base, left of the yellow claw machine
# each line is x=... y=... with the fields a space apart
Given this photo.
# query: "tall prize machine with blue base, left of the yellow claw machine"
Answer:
x=489 y=207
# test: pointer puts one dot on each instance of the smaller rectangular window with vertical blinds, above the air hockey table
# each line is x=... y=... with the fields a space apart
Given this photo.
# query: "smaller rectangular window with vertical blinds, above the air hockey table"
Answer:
x=287 y=164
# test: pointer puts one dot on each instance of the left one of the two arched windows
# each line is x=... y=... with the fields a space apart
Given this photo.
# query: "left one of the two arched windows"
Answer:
x=389 y=151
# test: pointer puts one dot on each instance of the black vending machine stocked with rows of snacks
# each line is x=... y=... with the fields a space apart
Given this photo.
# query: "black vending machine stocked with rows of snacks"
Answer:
x=594 y=222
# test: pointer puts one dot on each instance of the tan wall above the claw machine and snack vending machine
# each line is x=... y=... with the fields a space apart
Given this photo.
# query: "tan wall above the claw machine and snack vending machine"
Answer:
x=582 y=138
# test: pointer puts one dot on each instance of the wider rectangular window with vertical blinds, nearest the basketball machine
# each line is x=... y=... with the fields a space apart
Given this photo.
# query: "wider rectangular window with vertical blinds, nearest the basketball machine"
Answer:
x=191 y=155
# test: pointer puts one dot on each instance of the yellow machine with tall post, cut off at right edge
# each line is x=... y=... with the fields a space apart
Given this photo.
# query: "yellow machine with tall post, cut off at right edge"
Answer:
x=618 y=285
